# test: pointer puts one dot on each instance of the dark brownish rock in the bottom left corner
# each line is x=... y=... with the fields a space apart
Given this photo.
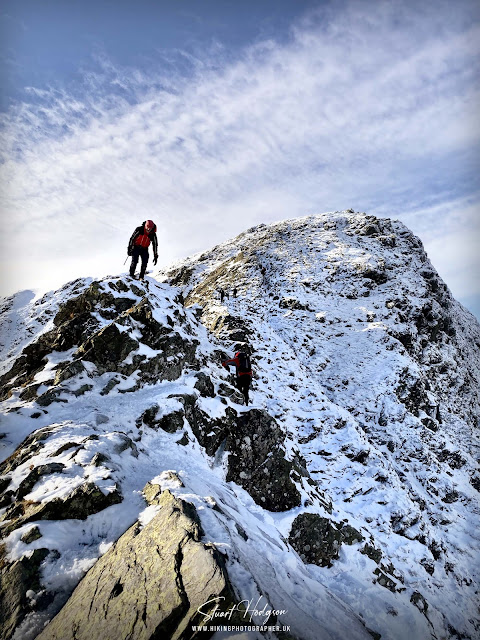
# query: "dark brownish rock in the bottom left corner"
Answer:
x=16 y=579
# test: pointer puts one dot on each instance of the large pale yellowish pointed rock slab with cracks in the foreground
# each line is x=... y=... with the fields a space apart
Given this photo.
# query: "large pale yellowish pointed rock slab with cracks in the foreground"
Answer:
x=149 y=585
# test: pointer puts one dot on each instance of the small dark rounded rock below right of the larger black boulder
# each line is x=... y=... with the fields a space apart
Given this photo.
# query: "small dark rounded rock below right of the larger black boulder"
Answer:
x=316 y=539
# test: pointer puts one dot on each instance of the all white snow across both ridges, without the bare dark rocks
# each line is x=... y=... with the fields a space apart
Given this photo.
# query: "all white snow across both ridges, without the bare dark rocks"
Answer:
x=329 y=374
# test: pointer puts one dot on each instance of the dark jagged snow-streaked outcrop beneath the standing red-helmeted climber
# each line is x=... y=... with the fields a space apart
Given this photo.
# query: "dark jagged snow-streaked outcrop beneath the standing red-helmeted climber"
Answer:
x=99 y=324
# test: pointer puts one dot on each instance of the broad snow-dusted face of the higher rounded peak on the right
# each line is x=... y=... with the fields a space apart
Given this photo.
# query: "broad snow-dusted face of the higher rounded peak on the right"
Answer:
x=373 y=370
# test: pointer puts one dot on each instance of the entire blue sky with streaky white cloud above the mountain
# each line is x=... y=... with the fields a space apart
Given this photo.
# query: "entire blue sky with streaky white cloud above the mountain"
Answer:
x=212 y=116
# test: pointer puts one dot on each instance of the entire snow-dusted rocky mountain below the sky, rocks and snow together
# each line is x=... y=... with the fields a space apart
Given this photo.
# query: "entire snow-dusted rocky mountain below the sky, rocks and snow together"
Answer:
x=342 y=503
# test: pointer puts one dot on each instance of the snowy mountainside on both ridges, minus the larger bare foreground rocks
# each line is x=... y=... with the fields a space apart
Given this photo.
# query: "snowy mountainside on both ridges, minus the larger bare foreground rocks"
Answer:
x=362 y=357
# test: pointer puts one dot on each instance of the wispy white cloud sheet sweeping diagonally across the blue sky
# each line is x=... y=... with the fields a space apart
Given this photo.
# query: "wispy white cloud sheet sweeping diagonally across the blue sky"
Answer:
x=373 y=105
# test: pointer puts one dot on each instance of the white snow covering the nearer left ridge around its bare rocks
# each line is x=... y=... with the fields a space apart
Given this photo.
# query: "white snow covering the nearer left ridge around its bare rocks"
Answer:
x=98 y=438
